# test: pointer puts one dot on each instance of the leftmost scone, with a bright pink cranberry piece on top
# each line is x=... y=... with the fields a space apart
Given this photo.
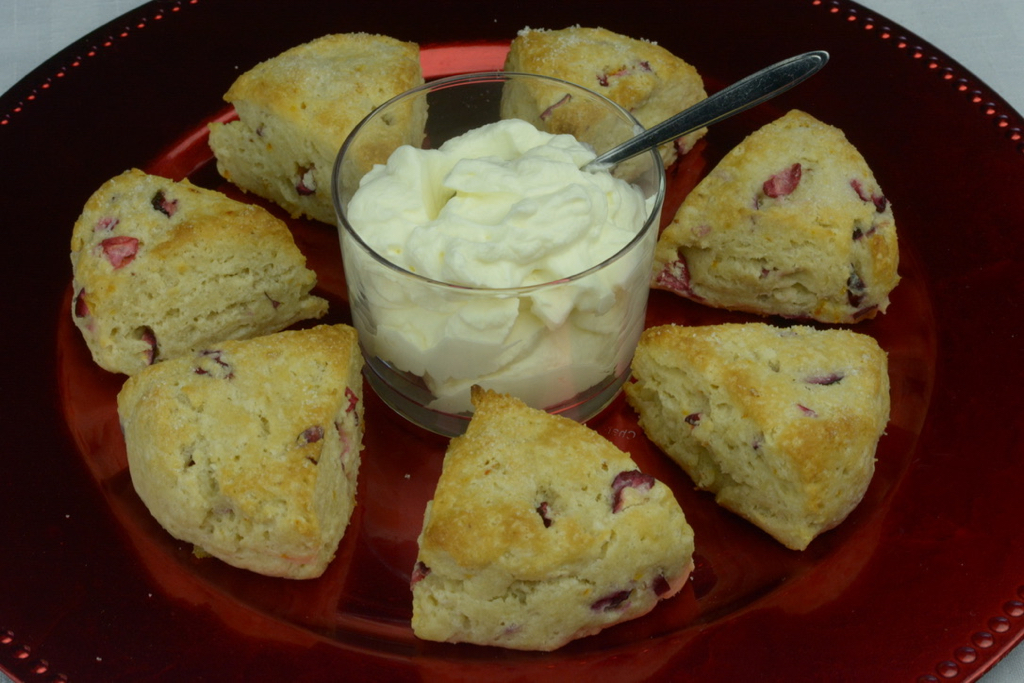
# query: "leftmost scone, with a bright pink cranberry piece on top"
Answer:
x=164 y=269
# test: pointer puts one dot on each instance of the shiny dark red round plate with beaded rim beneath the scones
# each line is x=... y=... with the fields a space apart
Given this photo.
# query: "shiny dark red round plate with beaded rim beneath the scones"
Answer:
x=924 y=582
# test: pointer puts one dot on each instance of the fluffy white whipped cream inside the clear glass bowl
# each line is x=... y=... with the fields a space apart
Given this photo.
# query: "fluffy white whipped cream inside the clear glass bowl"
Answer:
x=498 y=209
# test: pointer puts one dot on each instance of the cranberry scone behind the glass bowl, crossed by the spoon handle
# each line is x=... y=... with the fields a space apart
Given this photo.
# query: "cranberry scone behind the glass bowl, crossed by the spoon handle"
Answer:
x=641 y=76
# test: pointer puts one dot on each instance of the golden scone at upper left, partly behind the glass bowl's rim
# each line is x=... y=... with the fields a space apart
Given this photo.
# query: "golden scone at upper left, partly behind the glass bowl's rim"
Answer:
x=296 y=110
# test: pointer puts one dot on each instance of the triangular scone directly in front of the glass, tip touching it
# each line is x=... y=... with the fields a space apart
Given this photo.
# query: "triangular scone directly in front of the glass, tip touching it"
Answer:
x=541 y=532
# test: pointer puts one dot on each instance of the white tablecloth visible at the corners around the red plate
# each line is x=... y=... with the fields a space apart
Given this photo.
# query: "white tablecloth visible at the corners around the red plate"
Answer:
x=986 y=36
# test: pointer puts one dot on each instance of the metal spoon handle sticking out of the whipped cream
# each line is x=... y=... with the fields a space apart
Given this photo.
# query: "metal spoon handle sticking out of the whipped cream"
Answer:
x=740 y=97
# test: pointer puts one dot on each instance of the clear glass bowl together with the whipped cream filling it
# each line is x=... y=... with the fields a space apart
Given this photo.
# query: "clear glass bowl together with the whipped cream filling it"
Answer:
x=487 y=257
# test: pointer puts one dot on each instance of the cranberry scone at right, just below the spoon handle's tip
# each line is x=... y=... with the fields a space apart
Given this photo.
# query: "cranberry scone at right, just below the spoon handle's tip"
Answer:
x=791 y=223
